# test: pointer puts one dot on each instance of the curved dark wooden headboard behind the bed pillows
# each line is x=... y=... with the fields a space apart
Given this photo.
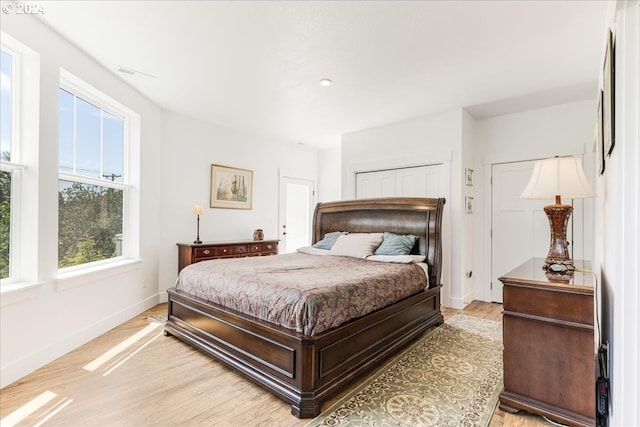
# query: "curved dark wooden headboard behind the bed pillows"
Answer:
x=419 y=216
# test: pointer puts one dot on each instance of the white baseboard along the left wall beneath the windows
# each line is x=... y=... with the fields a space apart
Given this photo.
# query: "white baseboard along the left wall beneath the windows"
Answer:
x=37 y=359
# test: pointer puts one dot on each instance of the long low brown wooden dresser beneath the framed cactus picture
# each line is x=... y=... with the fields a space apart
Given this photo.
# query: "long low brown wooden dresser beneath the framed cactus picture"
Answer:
x=189 y=253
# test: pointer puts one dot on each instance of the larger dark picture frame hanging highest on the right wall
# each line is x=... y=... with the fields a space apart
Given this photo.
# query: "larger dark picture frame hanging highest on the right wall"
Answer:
x=608 y=104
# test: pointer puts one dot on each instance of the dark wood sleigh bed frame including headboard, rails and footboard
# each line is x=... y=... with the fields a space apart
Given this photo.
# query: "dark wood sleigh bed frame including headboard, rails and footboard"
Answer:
x=306 y=370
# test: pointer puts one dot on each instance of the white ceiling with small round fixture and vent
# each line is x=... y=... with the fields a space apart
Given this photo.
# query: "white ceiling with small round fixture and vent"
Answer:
x=256 y=65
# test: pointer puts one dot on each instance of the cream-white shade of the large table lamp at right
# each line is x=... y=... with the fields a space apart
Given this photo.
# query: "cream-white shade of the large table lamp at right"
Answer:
x=558 y=176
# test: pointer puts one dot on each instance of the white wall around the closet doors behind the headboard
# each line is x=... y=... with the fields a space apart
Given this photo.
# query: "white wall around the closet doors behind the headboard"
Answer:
x=425 y=140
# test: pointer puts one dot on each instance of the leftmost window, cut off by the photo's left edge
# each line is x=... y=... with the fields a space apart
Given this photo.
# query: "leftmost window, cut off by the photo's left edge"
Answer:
x=19 y=130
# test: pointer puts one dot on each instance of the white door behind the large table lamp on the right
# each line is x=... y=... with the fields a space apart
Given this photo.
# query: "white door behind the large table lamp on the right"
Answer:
x=520 y=227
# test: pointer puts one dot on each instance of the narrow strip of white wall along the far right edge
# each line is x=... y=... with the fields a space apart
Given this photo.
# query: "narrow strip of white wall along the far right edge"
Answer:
x=618 y=224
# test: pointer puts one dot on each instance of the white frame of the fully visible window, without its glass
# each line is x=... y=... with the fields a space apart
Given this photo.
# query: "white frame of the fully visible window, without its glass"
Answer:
x=130 y=205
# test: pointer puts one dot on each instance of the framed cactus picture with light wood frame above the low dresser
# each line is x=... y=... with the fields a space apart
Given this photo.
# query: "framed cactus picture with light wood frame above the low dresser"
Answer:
x=231 y=187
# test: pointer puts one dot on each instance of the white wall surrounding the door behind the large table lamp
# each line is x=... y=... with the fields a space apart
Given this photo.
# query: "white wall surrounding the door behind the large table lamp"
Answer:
x=566 y=129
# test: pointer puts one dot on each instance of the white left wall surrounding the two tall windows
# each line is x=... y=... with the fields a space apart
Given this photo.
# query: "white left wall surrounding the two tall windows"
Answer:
x=41 y=322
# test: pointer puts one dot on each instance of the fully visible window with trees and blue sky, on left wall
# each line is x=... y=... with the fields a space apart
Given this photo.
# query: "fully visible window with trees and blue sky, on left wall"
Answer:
x=93 y=182
